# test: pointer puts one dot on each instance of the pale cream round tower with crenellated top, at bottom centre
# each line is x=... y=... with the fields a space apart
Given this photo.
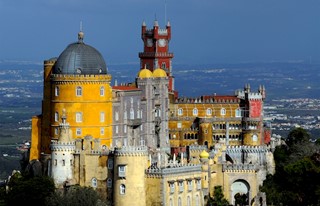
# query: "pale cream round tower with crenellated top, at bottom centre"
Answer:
x=130 y=164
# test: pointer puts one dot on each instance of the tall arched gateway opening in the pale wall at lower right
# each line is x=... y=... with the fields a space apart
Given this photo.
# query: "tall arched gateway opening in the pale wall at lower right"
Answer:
x=240 y=193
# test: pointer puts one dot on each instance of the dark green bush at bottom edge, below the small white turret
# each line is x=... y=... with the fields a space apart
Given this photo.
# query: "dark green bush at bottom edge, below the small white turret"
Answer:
x=80 y=196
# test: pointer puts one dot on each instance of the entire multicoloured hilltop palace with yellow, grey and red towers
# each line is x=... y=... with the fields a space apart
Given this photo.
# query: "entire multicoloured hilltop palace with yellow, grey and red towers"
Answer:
x=140 y=142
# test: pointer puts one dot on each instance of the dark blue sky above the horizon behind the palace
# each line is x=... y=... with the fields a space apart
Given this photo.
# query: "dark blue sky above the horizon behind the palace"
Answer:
x=203 y=31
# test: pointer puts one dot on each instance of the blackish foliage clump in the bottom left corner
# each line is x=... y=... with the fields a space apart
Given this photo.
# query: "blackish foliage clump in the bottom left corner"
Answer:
x=29 y=190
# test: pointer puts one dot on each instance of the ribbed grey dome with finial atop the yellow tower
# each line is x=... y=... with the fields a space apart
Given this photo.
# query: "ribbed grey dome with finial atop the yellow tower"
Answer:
x=79 y=58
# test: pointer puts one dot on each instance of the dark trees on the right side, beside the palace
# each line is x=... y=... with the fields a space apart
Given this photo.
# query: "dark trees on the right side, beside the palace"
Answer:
x=296 y=181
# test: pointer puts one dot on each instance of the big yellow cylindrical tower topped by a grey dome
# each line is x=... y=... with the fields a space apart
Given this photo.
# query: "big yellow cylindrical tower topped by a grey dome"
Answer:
x=77 y=83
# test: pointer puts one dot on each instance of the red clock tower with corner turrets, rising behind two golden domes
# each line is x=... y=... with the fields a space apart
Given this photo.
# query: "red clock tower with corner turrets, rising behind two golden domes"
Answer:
x=156 y=50
